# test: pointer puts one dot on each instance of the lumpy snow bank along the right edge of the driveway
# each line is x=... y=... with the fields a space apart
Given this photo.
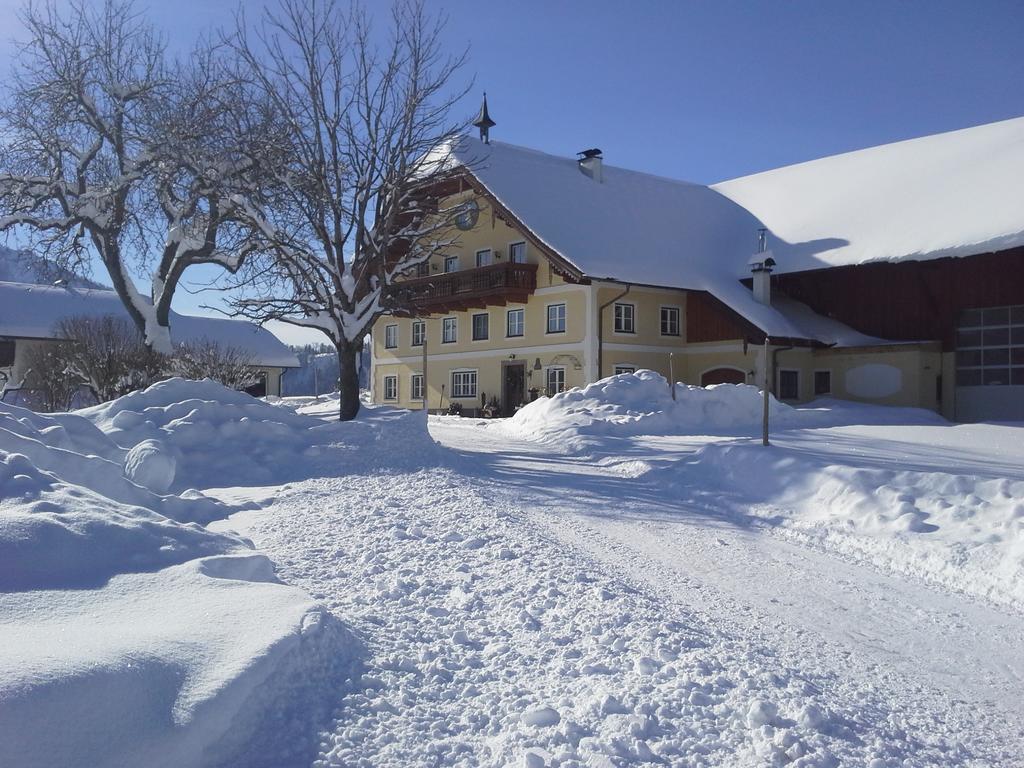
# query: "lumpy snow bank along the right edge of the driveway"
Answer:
x=965 y=532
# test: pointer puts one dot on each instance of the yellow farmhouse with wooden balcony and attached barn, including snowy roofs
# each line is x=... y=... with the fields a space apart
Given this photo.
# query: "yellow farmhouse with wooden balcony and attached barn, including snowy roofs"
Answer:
x=893 y=275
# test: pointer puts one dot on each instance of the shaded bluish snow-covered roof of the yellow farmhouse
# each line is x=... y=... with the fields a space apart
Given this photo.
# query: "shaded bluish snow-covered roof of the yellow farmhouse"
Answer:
x=631 y=227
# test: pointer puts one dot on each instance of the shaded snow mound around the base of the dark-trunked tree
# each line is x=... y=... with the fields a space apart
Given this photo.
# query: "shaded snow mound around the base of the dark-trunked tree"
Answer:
x=218 y=438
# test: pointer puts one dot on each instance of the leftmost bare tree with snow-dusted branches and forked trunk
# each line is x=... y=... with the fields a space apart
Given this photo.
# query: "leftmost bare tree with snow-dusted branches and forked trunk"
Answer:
x=108 y=146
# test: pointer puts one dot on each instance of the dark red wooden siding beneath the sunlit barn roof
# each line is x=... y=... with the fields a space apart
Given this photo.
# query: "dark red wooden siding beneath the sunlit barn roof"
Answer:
x=911 y=301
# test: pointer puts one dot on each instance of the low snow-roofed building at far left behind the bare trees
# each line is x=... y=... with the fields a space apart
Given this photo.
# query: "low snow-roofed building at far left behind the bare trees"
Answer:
x=29 y=314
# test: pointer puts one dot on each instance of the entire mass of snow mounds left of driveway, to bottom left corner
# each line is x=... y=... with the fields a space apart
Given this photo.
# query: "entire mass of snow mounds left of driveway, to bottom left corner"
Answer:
x=146 y=637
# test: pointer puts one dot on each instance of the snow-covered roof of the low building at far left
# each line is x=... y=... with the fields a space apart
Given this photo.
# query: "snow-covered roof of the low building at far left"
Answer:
x=32 y=312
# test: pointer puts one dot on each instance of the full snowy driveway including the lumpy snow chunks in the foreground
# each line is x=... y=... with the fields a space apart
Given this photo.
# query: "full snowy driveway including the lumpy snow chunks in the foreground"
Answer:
x=520 y=608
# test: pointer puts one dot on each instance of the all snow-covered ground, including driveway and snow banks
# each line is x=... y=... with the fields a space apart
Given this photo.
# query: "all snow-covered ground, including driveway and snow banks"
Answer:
x=610 y=579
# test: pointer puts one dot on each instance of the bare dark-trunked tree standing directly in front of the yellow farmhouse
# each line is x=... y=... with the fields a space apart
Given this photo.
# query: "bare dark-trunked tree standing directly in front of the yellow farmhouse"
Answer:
x=354 y=207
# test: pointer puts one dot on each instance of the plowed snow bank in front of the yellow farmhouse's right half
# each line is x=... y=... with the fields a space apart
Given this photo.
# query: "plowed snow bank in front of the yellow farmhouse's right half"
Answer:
x=642 y=404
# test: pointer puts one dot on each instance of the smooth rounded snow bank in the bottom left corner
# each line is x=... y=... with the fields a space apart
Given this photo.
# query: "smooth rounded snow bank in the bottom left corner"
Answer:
x=191 y=666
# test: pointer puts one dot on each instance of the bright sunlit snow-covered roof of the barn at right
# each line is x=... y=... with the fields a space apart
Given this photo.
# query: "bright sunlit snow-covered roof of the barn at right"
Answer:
x=953 y=194
